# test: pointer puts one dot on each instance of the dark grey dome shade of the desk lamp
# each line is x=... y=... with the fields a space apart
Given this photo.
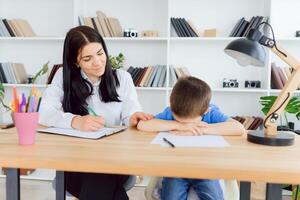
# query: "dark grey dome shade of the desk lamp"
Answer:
x=246 y=52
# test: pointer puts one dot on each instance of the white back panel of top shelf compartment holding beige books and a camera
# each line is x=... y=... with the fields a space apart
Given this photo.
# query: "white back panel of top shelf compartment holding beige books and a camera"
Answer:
x=136 y=14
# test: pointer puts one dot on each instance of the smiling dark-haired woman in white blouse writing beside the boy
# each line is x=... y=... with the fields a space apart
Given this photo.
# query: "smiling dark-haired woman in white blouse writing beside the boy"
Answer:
x=87 y=80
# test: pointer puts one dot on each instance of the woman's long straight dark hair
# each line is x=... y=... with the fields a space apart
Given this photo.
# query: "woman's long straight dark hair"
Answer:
x=76 y=88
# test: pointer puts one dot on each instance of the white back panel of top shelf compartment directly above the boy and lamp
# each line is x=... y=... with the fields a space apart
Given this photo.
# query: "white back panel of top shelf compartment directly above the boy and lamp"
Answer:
x=222 y=15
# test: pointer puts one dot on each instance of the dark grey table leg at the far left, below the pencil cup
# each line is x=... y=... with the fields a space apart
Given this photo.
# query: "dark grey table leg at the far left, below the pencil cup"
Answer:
x=13 y=184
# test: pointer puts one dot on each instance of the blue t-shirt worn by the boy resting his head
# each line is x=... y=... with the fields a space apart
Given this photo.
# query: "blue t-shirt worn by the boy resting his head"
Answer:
x=214 y=115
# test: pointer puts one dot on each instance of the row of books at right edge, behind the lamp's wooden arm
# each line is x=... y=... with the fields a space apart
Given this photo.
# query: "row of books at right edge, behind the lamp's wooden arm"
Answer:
x=279 y=76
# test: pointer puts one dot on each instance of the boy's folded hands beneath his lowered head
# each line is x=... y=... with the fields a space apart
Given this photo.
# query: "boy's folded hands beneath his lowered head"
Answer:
x=191 y=129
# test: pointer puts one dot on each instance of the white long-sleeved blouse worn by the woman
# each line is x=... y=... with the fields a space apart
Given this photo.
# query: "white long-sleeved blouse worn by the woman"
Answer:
x=115 y=113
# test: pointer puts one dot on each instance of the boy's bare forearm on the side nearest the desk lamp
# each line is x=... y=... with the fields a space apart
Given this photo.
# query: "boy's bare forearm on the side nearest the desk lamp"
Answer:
x=230 y=127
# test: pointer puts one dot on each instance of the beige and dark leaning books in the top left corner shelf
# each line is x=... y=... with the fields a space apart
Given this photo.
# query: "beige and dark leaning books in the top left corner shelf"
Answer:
x=15 y=28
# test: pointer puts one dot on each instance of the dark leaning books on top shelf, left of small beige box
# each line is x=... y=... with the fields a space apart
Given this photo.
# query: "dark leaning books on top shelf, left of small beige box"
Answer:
x=184 y=28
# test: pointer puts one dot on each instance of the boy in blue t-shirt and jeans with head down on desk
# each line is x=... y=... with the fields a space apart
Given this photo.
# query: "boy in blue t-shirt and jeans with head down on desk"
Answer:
x=191 y=114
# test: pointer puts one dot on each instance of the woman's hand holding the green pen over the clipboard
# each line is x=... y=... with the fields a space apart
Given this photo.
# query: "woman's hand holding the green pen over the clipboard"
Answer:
x=88 y=123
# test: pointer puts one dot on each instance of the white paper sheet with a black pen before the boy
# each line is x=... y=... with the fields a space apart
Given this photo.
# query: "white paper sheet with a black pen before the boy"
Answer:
x=191 y=141
